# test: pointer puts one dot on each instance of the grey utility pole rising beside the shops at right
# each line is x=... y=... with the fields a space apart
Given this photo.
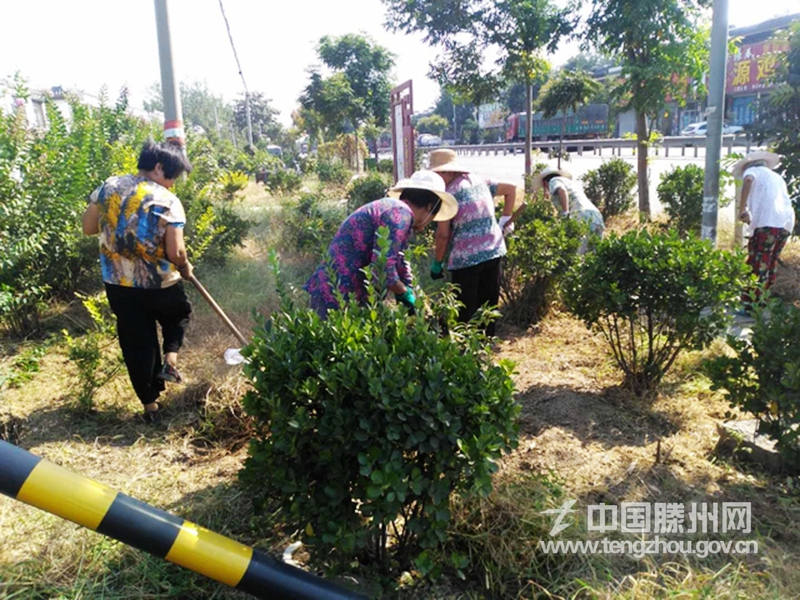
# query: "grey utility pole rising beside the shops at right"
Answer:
x=714 y=118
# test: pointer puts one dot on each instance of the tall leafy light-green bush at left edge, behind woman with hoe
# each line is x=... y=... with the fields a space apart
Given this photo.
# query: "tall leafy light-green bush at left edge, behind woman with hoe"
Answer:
x=45 y=178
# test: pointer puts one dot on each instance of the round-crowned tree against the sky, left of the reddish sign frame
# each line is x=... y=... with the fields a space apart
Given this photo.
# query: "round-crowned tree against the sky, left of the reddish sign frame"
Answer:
x=357 y=89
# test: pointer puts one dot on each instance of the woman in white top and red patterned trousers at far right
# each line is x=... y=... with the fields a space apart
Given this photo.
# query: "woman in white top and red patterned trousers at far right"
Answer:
x=767 y=209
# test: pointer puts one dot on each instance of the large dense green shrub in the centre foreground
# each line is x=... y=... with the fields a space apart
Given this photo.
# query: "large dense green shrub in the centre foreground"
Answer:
x=368 y=421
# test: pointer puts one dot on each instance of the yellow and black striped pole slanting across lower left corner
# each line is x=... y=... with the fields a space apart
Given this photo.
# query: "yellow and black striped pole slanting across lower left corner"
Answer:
x=71 y=496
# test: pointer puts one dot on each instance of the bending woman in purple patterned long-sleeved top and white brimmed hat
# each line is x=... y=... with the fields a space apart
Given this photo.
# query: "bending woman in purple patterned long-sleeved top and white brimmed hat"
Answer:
x=411 y=205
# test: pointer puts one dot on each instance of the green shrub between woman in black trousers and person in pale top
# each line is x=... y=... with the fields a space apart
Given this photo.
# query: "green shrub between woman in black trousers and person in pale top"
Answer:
x=541 y=251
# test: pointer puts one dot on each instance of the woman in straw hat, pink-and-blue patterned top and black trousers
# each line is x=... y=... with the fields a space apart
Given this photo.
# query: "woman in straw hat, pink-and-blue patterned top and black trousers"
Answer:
x=473 y=238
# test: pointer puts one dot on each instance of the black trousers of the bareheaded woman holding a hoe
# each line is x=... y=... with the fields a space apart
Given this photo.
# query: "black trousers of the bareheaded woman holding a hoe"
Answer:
x=137 y=311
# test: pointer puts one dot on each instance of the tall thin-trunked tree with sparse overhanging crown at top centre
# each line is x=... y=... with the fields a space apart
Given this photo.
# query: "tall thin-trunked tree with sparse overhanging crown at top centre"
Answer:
x=518 y=32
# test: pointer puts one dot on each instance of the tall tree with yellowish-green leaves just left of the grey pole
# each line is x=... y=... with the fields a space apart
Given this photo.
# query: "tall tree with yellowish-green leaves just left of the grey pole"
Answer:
x=659 y=44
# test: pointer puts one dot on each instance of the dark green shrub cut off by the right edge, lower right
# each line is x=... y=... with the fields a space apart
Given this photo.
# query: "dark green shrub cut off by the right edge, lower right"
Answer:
x=763 y=377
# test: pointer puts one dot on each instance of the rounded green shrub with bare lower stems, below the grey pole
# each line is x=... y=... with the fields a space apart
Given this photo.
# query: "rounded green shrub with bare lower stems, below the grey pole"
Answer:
x=653 y=295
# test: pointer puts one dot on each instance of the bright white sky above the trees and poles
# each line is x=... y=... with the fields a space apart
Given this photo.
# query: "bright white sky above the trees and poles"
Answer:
x=88 y=43
